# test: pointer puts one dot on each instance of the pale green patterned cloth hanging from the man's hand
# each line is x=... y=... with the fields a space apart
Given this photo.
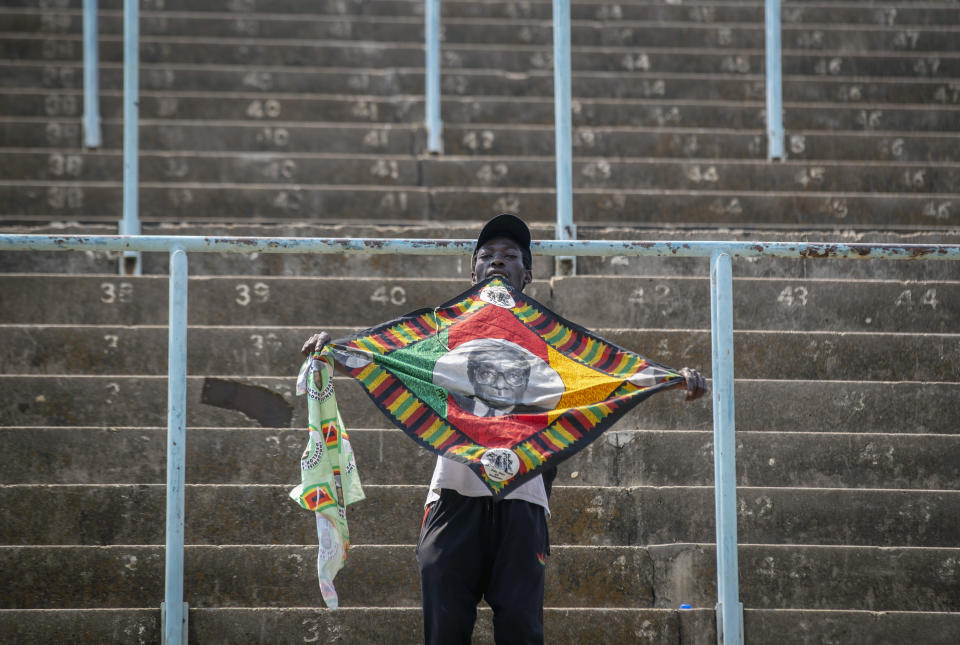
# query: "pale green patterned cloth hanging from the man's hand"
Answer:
x=329 y=481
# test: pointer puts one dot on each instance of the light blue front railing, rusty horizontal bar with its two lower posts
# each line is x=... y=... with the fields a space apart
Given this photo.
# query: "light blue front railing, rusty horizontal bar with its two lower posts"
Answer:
x=729 y=608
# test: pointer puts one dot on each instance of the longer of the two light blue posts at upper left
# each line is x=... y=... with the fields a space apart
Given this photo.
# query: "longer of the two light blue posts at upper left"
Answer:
x=130 y=225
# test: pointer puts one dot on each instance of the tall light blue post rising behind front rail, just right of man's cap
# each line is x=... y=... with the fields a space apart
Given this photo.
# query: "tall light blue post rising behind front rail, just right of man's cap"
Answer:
x=565 y=230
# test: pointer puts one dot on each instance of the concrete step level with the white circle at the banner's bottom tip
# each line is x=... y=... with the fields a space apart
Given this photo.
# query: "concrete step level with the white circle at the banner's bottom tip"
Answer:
x=39 y=455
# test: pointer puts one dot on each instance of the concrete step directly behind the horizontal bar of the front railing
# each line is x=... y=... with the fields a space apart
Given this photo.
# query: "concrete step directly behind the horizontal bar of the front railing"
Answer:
x=388 y=266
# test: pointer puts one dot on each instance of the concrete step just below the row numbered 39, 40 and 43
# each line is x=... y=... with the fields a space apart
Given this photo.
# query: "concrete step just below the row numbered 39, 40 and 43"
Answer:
x=272 y=351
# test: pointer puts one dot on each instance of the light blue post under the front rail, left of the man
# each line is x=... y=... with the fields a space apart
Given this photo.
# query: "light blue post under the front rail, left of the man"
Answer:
x=174 y=610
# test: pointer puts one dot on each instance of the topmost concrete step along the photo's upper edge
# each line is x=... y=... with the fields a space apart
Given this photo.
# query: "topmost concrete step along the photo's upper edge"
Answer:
x=885 y=13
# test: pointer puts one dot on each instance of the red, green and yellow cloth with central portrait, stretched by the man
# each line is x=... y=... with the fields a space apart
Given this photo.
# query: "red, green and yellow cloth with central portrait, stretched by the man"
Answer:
x=497 y=381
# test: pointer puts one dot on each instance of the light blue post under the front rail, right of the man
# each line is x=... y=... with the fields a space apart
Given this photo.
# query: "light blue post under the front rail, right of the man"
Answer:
x=729 y=608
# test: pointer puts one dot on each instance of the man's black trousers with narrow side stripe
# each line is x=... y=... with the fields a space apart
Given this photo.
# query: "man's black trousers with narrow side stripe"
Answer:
x=472 y=548
